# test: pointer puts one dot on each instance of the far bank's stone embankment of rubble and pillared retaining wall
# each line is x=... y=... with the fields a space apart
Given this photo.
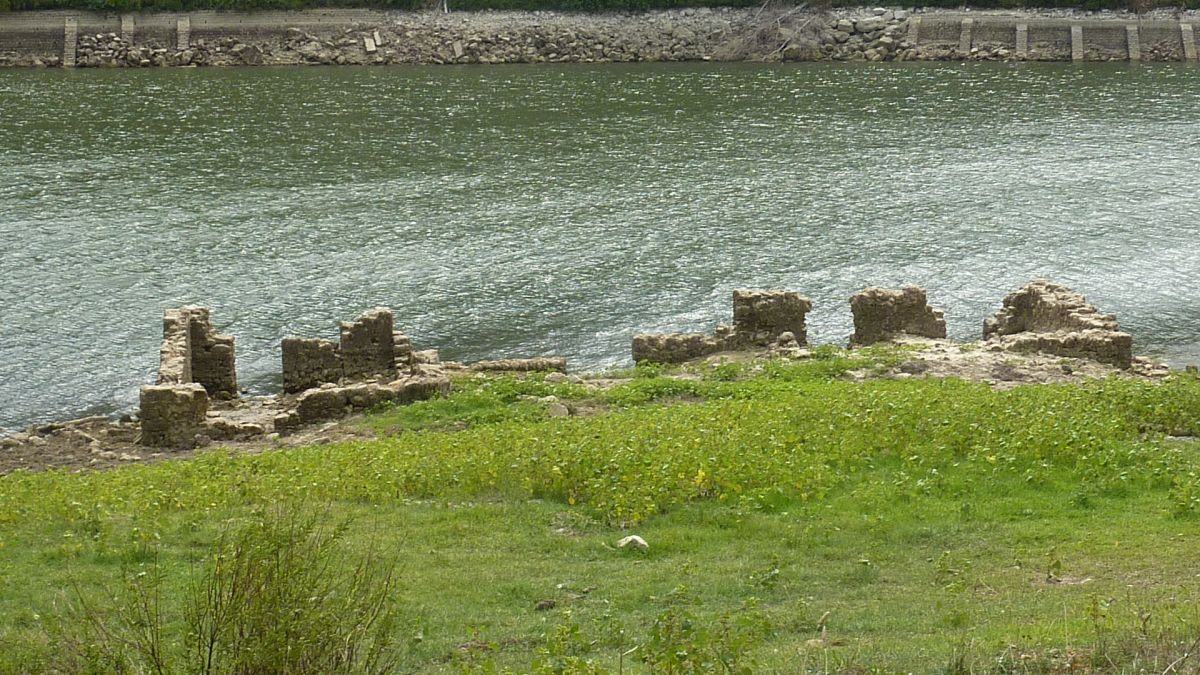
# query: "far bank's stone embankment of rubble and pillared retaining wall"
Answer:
x=376 y=38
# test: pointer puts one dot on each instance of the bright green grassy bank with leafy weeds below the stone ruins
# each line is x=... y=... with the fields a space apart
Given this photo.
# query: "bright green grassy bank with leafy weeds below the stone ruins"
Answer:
x=796 y=522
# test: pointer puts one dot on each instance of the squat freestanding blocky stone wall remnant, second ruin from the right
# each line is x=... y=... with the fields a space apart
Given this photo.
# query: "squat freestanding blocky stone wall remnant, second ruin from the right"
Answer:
x=884 y=314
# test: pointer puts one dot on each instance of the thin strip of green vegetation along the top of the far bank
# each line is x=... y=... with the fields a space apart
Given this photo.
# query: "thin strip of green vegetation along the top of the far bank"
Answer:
x=543 y=5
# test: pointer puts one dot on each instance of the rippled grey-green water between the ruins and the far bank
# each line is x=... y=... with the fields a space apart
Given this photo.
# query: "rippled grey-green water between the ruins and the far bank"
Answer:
x=529 y=211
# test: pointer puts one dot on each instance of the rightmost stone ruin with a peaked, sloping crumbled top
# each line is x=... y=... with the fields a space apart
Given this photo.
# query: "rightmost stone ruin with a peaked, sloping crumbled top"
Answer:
x=1052 y=319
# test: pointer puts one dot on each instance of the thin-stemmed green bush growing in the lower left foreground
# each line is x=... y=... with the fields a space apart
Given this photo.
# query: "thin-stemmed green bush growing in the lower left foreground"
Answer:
x=275 y=596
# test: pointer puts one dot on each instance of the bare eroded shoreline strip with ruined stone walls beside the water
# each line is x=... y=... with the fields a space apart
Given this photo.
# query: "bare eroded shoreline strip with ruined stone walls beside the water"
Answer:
x=1043 y=334
